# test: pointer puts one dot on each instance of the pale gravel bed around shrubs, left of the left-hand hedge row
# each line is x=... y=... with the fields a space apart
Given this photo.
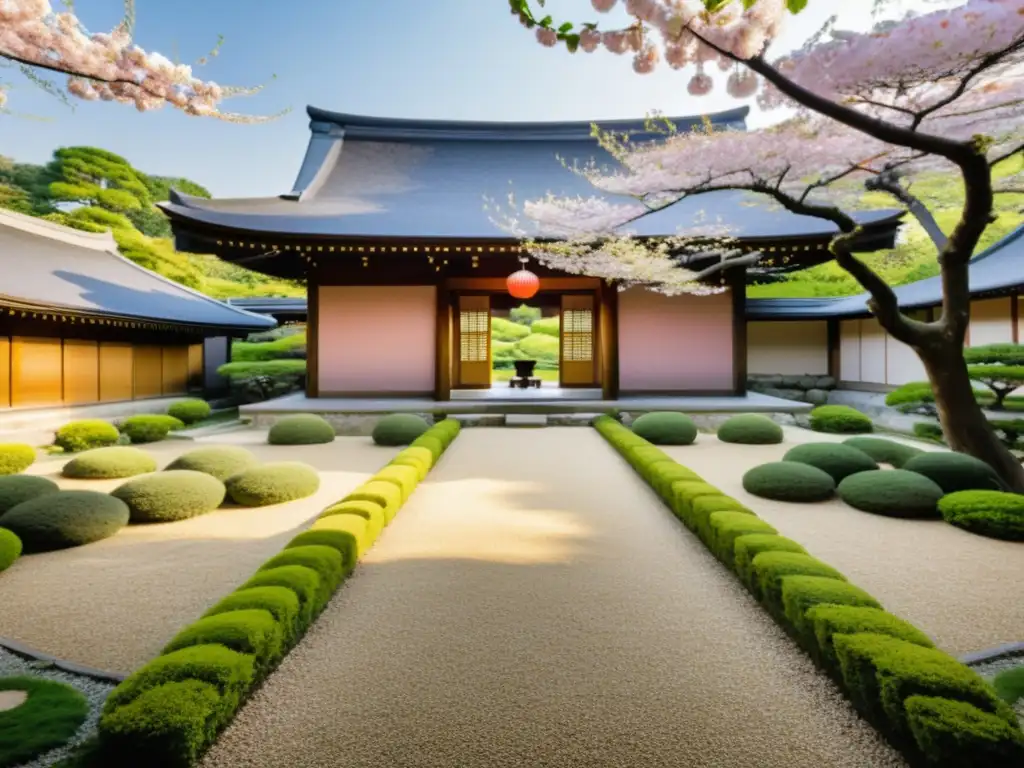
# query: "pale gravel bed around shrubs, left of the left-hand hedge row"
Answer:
x=115 y=604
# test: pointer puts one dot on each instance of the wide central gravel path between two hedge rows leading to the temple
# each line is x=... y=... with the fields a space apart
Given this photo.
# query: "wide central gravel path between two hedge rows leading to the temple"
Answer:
x=535 y=605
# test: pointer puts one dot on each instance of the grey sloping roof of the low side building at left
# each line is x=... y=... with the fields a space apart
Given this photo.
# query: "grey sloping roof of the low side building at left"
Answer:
x=48 y=266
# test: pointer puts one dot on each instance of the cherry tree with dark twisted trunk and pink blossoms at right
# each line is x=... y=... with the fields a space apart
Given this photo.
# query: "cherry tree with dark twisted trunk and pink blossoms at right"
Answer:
x=942 y=90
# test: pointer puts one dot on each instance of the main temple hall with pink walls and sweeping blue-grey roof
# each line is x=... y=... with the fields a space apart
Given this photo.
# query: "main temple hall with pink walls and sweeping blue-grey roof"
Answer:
x=389 y=225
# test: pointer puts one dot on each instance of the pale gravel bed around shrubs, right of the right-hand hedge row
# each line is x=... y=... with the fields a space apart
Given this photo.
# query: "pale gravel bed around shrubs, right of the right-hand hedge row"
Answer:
x=952 y=584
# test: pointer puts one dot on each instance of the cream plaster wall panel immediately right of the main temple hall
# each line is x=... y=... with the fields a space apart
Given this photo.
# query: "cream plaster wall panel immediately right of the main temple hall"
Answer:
x=794 y=348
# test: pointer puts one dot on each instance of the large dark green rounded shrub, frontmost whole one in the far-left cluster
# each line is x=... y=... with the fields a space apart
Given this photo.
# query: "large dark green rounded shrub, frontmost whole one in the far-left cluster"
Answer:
x=68 y=519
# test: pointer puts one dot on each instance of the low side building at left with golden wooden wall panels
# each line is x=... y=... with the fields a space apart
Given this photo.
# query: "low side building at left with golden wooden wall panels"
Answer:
x=80 y=325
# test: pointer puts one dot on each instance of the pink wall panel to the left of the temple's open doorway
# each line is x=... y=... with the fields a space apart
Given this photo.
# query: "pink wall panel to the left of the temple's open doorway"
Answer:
x=377 y=339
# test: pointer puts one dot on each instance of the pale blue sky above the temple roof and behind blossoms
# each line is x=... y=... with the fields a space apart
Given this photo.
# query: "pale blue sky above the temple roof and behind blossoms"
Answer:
x=444 y=59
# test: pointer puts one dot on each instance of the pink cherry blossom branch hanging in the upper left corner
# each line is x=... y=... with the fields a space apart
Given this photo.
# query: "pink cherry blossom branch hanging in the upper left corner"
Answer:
x=106 y=67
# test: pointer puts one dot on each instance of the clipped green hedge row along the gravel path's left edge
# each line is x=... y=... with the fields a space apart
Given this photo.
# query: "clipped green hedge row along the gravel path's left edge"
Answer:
x=169 y=712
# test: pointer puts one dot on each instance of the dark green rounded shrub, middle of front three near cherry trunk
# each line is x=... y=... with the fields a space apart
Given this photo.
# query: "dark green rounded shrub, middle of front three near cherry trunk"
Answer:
x=895 y=493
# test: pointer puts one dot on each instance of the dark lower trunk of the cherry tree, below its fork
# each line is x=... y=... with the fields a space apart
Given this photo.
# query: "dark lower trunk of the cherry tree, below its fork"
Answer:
x=964 y=423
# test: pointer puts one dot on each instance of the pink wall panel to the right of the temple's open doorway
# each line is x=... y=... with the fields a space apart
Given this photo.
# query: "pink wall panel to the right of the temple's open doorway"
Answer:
x=675 y=344
